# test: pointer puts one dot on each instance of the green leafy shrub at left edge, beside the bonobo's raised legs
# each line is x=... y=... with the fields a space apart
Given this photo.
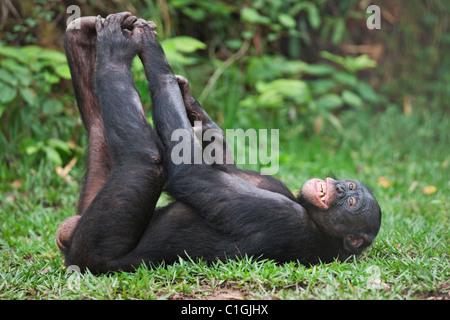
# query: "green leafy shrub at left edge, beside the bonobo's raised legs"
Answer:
x=29 y=107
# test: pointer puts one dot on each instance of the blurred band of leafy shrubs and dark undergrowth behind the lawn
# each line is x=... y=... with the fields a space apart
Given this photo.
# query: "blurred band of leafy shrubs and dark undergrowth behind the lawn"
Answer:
x=300 y=64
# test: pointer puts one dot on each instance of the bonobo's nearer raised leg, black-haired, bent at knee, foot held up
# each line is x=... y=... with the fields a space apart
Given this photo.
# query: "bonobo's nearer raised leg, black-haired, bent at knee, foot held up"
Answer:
x=113 y=223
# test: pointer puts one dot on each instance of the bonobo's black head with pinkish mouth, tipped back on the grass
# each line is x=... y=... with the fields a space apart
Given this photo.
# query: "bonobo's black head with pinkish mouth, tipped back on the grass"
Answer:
x=344 y=209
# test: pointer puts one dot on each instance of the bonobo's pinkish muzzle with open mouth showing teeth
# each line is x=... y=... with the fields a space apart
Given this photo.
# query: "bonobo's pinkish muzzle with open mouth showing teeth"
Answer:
x=319 y=192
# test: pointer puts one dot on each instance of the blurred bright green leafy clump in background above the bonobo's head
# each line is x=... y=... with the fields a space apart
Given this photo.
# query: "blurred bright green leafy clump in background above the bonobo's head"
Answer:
x=324 y=91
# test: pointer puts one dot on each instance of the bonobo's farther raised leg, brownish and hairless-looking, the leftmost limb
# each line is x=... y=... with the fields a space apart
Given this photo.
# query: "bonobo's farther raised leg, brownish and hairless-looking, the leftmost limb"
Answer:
x=80 y=43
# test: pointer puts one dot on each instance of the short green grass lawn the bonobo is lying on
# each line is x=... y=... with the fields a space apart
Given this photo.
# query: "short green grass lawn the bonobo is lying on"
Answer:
x=409 y=259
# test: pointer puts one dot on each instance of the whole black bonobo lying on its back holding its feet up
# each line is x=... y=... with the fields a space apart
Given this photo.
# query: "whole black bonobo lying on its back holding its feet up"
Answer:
x=219 y=211
